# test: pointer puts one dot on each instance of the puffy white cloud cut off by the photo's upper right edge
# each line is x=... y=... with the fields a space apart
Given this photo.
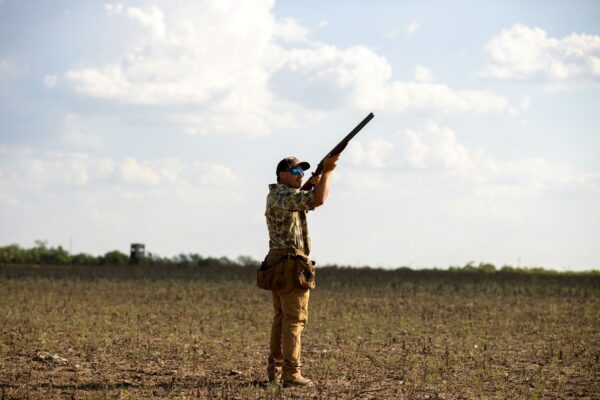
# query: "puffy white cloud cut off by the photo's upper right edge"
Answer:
x=521 y=52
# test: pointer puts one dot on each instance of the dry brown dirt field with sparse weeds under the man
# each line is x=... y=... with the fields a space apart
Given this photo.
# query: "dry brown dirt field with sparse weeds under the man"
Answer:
x=139 y=332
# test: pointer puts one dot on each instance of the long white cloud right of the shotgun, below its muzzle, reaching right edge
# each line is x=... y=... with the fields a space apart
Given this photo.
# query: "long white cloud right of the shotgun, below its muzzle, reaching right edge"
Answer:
x=436 y=151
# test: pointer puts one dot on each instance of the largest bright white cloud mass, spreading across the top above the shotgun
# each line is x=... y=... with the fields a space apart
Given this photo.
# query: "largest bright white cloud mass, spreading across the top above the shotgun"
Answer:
x=224 y=60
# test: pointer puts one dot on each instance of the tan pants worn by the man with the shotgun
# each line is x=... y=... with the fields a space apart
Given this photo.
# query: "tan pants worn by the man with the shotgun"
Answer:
x=291 y=314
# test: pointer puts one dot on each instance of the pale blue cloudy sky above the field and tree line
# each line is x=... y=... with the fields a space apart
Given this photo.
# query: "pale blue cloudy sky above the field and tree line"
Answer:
x=162 y=122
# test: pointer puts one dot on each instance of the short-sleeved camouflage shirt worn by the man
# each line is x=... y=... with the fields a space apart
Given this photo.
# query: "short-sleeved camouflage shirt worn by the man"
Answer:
x=286 y=217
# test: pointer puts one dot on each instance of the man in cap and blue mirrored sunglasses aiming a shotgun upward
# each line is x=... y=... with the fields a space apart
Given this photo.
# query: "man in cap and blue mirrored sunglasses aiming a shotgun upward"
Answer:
x=289 y=243
